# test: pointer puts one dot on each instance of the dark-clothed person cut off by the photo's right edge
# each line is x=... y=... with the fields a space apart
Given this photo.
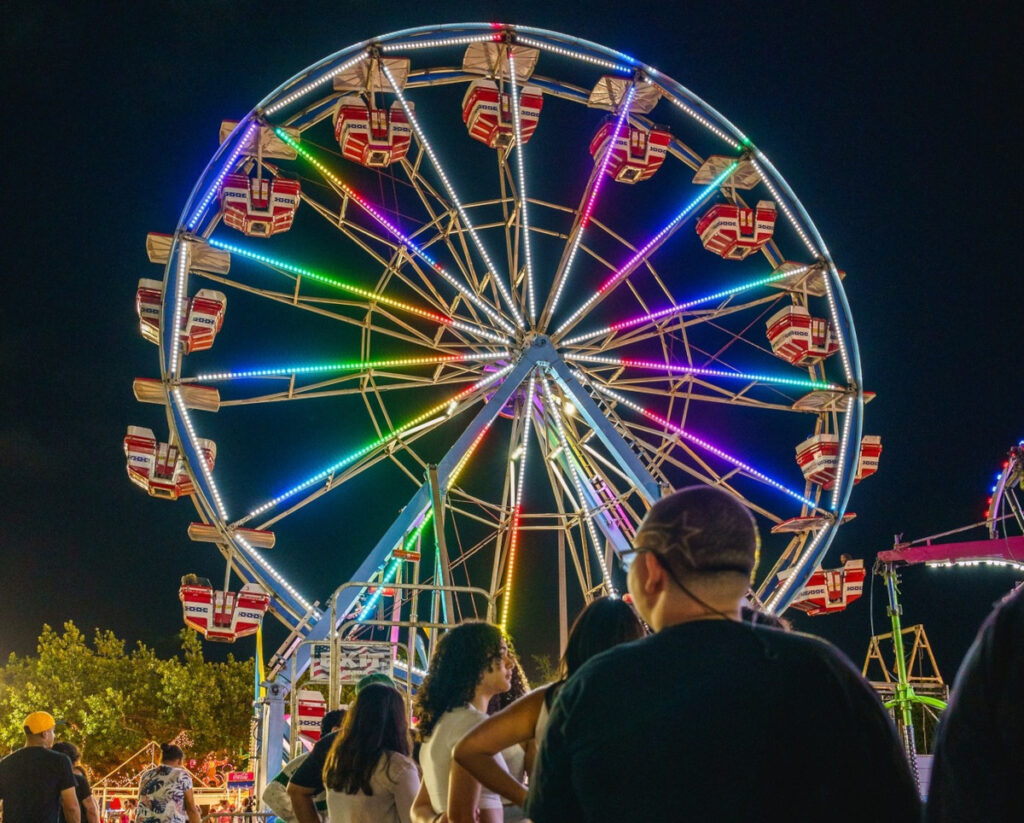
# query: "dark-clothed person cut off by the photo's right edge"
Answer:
x=978 y=768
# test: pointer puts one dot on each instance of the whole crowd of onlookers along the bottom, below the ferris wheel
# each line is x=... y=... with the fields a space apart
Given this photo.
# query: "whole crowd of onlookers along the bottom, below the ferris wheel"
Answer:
x=682 y=704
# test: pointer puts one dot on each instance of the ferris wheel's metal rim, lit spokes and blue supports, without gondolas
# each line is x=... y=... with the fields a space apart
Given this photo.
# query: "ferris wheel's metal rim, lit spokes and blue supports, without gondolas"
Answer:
x=491 y=341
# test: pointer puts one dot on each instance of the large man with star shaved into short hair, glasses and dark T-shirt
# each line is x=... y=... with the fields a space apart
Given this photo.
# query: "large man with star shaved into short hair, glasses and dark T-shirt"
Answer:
x=712 y=718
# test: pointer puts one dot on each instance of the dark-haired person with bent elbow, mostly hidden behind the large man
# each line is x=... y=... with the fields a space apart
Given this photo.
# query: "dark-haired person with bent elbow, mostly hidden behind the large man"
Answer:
x=604 y=624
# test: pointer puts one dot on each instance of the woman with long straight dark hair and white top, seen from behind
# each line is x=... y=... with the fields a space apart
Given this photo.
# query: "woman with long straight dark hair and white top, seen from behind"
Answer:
x=369 y=776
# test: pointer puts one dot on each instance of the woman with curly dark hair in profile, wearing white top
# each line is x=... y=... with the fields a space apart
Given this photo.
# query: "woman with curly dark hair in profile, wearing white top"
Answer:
x=471 y=666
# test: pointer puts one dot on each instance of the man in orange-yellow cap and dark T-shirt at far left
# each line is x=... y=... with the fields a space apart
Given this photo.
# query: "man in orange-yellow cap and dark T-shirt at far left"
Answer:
x=35 y=783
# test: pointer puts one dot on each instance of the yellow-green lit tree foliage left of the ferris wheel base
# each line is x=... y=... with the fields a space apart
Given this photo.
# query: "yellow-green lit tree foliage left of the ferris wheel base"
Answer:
x=114 y=702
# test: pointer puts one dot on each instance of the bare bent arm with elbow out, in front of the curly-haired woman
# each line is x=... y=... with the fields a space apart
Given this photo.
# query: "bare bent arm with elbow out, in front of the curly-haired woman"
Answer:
x=478 y=752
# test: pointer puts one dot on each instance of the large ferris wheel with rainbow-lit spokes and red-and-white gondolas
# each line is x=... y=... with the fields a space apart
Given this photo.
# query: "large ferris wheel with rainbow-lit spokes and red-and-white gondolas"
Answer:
x=494 y=290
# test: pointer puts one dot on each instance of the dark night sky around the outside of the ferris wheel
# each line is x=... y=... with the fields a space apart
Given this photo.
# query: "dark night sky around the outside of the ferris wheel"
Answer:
x=893 y=127
